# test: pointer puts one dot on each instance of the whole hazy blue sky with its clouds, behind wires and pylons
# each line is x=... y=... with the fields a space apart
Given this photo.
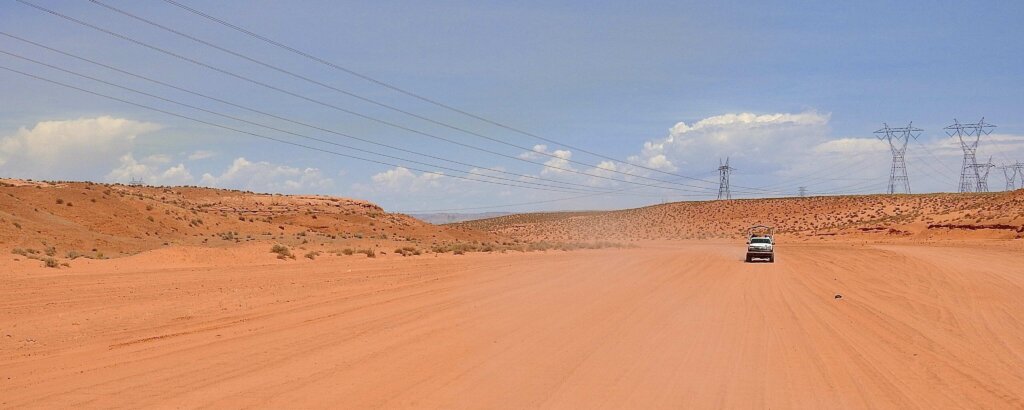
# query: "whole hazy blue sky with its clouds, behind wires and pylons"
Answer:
x=792 y=92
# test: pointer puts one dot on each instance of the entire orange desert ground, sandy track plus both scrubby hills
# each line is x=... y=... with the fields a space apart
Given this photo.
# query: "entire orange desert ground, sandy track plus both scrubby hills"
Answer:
x=136 y=297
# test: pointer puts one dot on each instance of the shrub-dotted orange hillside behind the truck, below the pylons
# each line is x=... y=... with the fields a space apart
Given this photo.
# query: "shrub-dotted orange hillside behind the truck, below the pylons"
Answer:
x=874 y=218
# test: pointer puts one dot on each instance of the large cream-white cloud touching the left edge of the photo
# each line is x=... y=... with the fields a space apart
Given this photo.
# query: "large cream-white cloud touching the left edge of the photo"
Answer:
x=69 y=148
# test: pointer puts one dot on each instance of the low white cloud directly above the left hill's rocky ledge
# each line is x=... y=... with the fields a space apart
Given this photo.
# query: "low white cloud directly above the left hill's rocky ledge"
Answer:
x=266 y=177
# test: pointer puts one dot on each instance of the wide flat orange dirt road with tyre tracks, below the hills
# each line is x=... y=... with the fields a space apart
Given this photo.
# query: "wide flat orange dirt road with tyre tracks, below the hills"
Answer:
x=686 y=325
